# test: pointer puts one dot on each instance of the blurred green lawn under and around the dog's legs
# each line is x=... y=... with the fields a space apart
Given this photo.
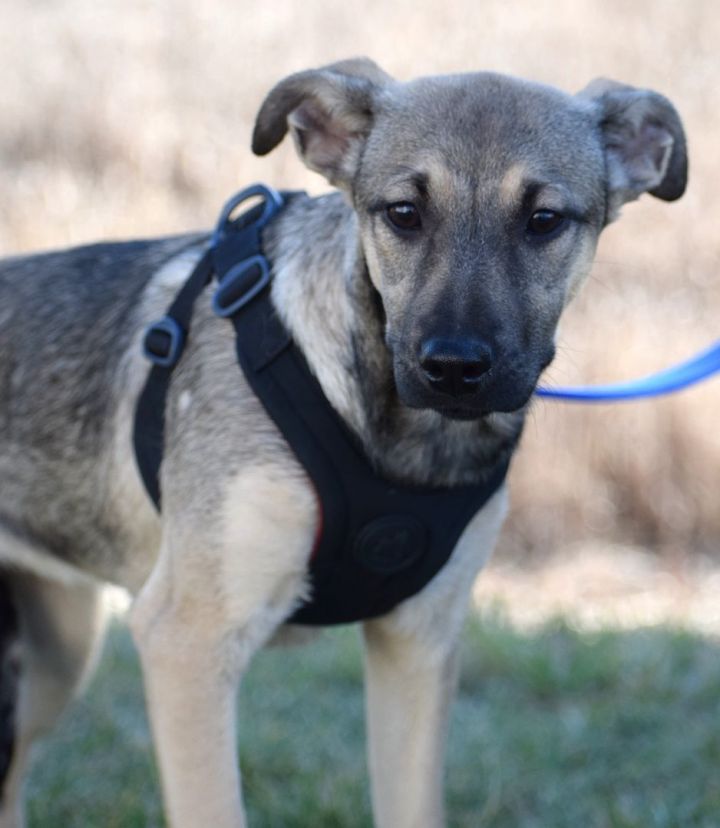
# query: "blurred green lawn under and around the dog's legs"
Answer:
x=553 y=728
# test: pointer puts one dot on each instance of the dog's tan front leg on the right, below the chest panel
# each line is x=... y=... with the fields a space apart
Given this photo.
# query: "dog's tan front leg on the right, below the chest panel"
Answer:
x=411 y=658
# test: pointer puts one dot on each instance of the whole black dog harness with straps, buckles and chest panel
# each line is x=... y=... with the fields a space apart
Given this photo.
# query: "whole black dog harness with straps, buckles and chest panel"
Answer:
x=380 y=542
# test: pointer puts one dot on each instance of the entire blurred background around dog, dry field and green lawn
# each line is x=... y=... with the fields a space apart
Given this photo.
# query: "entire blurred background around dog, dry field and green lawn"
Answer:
x=126 y=119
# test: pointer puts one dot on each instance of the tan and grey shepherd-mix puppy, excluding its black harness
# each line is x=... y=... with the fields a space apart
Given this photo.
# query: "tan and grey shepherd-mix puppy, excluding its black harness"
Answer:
x=425 y=296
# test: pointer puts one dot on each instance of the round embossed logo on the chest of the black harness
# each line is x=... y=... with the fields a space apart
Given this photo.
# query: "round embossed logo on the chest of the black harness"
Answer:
x=390 y=544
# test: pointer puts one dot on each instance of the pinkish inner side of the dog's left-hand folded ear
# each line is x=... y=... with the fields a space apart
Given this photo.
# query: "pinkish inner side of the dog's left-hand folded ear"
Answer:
x=322 y=137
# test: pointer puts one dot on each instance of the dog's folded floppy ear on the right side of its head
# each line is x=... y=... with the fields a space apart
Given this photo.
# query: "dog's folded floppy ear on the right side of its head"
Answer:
x=645 y=148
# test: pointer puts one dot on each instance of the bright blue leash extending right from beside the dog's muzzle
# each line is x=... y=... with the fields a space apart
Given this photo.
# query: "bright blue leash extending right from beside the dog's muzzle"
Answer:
x=700 y=367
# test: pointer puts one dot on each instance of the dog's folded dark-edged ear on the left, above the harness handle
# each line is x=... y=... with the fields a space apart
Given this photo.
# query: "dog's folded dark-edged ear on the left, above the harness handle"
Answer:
x=329 y=112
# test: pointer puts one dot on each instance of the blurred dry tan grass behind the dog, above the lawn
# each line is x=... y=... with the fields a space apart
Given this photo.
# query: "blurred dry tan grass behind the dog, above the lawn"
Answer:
x=133 y=118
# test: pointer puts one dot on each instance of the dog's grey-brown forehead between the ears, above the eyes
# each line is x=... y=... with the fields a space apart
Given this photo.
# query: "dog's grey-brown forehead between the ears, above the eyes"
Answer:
x=485 y=126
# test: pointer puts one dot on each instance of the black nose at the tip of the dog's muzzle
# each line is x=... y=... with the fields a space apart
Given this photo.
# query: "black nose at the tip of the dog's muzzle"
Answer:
x=455 y=366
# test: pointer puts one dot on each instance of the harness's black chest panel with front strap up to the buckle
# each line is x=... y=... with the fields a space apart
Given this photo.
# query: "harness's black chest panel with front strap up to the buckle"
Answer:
x=381 y=542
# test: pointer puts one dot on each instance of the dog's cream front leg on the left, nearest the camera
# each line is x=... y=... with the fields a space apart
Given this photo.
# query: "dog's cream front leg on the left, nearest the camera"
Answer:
x=220 y=589
